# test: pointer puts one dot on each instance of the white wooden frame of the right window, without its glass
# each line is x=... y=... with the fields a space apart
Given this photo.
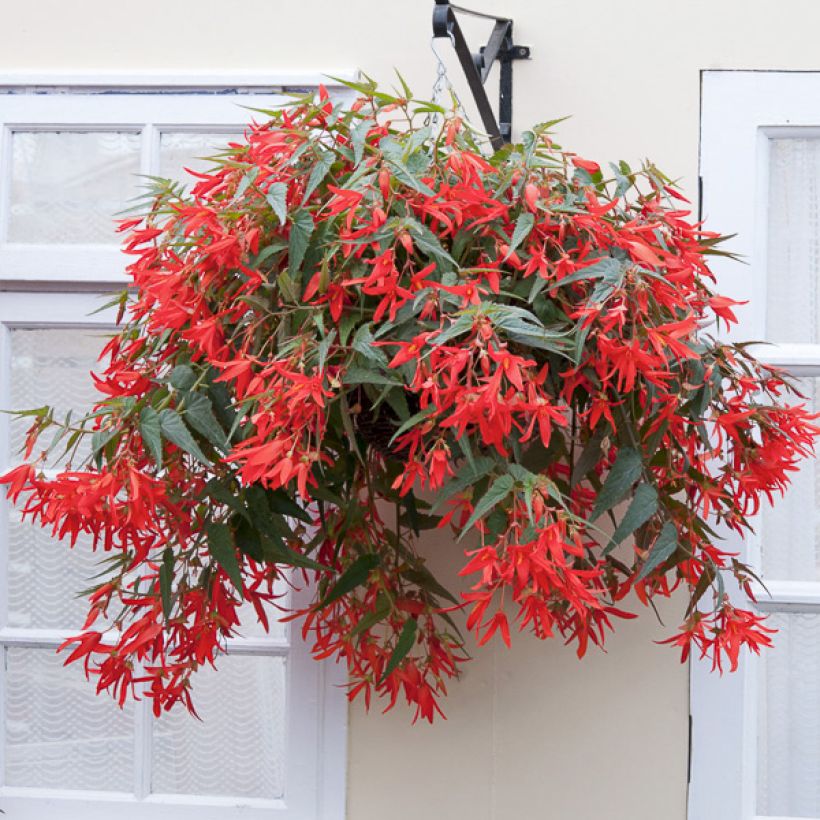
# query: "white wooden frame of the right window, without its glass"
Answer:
x=741 y=111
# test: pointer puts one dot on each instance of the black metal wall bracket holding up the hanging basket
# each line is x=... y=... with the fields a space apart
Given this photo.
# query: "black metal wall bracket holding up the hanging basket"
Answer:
x=477 y=66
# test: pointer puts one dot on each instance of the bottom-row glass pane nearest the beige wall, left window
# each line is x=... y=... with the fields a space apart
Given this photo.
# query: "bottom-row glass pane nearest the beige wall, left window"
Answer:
x=238 y=747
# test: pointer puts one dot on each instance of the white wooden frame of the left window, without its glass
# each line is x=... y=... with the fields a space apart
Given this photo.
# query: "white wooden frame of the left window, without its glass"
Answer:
x=37 y=295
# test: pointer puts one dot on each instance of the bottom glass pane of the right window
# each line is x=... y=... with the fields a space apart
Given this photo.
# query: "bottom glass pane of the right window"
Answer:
x=789 y=719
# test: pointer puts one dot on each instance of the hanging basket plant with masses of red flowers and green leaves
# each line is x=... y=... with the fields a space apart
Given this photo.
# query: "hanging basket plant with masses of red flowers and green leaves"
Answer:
x=347 y=313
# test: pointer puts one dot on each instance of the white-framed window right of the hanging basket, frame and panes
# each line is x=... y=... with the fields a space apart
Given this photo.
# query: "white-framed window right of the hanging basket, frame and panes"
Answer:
x=756 y=735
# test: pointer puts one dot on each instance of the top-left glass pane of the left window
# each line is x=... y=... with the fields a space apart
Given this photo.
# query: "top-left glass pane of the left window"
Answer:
x=67 y=187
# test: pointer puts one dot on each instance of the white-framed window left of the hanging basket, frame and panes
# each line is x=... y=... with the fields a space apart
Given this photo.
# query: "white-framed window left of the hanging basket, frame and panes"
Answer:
x=271 y=744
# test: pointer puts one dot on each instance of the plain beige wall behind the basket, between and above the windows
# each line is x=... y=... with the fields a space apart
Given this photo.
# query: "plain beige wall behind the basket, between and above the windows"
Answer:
x=532 y=733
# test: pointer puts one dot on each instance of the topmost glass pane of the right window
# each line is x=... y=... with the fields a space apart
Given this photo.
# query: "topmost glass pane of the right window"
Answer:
x=793 y=304
